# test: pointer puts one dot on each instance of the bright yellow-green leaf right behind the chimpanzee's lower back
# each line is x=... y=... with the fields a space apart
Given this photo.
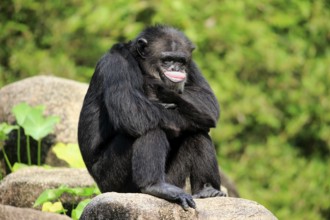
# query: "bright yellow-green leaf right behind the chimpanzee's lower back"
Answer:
x=70 y=153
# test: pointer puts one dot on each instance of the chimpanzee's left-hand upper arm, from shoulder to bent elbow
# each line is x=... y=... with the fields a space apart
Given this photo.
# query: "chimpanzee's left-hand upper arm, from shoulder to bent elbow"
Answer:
x=128 y=108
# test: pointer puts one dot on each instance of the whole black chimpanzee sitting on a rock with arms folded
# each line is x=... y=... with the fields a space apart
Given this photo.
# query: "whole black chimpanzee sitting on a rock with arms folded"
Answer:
x=141 y=130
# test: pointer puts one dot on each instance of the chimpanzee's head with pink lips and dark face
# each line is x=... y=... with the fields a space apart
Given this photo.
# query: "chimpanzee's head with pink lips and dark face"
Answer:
x=165 y=53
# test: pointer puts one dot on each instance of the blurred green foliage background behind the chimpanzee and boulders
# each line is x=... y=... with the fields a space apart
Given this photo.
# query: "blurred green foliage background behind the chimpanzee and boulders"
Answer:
x=268 y=62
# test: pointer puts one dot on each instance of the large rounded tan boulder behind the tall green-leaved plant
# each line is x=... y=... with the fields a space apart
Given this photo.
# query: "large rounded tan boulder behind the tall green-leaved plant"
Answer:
x=61 y=97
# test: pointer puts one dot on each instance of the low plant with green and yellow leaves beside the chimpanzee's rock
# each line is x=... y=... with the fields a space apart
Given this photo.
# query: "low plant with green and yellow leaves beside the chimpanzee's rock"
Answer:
x=47 y=197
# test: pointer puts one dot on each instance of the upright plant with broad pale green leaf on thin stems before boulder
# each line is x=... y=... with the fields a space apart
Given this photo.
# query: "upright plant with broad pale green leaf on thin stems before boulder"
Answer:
x=37 y=126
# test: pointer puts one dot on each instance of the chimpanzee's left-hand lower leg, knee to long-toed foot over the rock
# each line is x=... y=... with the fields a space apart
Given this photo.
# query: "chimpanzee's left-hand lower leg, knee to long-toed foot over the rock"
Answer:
x=148 y=168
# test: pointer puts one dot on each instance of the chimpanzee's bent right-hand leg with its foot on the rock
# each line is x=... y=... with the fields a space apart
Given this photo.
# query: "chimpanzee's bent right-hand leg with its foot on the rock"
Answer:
x=196 y=156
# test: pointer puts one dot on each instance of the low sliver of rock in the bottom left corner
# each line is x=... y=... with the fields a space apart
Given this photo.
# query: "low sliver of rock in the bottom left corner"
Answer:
x=13 y=213
